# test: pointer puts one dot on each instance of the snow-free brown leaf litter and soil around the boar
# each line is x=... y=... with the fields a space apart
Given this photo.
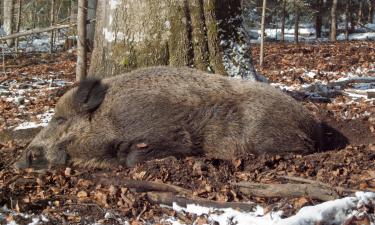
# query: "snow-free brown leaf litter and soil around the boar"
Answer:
x=78 y=196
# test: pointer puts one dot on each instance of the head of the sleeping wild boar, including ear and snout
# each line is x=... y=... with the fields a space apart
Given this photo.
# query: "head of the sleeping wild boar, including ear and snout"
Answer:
x=72 y=117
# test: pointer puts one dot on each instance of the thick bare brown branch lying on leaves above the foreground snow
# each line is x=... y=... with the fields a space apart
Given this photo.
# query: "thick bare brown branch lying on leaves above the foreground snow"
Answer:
x=287 y=191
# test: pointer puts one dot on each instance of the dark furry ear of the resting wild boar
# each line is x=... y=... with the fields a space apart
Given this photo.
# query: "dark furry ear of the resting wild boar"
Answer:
x=89 y=95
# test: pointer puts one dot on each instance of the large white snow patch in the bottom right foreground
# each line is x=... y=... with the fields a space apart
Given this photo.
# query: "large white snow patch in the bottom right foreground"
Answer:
x=334 y=212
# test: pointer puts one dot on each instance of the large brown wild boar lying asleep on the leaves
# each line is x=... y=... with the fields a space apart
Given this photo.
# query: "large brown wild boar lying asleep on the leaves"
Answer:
x=161 y=111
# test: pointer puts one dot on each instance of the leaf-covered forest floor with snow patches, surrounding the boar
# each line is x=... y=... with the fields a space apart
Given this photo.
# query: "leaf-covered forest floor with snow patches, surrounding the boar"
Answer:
x=76 y=196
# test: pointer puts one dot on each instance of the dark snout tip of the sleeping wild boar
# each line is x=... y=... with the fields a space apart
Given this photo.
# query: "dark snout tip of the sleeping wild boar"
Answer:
x=33 y=157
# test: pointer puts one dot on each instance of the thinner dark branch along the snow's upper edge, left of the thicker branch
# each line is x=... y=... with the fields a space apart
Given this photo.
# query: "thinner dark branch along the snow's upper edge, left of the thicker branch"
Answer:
x=169 y=199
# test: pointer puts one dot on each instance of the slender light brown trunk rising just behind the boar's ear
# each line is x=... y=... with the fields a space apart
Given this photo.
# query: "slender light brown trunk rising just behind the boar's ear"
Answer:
x=82 y=34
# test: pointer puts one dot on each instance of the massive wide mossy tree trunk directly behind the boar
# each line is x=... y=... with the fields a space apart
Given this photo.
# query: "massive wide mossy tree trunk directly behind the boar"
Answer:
x=206 y=34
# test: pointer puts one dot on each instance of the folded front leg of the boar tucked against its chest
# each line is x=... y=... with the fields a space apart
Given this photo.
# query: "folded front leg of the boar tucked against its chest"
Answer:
x=155 y=145
